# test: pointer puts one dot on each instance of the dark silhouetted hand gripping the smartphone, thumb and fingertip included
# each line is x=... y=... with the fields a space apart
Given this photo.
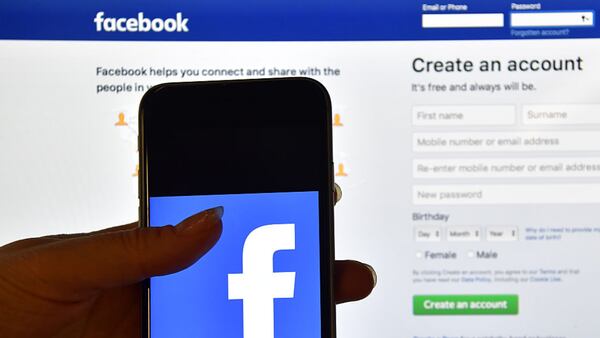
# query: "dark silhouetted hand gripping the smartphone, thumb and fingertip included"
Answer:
x=87 y=285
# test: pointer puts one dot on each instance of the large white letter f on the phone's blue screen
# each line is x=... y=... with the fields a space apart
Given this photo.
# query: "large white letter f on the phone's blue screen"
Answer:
x=258 y=285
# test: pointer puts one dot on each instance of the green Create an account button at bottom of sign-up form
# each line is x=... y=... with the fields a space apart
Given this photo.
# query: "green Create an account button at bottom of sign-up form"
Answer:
x=431 y=305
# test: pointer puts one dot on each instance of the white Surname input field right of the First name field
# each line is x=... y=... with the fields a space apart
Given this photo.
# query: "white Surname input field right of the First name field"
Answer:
x=561 y=114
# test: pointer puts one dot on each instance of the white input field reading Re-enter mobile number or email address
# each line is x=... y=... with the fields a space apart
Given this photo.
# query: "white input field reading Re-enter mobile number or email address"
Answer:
x=465 y=168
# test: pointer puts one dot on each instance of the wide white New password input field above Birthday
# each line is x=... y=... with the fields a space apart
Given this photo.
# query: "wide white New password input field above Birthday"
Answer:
x=468 y=194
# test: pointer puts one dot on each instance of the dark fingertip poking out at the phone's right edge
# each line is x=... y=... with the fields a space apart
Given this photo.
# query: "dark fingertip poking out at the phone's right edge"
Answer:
x=353 y=281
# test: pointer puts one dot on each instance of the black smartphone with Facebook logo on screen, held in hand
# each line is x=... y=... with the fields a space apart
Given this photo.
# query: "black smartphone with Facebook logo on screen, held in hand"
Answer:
x=261 y=149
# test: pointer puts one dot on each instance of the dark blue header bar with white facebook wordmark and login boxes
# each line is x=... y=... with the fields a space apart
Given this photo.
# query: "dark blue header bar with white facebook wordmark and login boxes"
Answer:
x=297 y=20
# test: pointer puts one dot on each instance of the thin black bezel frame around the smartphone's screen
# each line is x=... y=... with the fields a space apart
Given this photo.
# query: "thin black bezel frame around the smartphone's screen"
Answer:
x=326 y=189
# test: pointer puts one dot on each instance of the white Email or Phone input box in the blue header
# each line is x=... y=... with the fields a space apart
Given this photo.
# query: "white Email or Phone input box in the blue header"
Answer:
x=463 y=20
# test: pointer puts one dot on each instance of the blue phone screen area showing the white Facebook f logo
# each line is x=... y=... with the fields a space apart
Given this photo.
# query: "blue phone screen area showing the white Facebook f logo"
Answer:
x=261 y=280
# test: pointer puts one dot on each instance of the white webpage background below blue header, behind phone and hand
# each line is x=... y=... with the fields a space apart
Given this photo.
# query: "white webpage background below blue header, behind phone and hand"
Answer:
x=66 y=168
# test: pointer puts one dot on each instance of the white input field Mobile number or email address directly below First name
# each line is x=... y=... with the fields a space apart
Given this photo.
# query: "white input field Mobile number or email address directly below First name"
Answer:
x=507 y=141
